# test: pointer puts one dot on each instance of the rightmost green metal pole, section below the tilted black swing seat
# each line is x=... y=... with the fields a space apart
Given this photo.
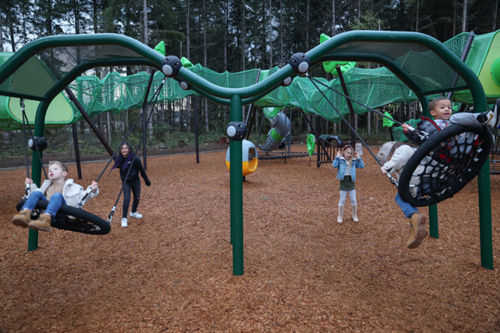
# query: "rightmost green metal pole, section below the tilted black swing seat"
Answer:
x=485 y=234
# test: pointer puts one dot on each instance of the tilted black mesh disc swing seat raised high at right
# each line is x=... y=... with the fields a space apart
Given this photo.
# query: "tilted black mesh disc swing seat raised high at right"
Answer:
x=444 y=164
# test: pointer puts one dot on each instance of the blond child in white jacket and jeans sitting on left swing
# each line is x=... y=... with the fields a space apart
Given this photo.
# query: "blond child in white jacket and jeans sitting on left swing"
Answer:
x=57 y=190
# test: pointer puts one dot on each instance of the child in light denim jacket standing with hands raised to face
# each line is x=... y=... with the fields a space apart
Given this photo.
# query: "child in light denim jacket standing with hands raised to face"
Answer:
x=347 y=161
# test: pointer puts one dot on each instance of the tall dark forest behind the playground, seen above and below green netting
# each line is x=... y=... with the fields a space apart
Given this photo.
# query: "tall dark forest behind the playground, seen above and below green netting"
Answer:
x=229 y=36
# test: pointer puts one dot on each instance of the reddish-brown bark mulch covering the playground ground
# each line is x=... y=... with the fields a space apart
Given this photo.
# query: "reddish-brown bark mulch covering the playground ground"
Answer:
x=172 y=270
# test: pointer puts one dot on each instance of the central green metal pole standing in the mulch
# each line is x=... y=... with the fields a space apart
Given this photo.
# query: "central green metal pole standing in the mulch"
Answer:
x=236 y=190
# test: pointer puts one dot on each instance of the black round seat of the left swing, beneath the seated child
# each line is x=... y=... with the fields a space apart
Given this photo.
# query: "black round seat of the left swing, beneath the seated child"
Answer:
x=83 y=221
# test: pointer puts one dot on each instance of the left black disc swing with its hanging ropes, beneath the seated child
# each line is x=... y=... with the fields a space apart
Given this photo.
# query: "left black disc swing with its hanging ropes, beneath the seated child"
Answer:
x=74 y=219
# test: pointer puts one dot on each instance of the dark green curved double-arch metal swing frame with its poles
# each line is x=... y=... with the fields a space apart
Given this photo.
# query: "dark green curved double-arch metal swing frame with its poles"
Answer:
x=395 y=50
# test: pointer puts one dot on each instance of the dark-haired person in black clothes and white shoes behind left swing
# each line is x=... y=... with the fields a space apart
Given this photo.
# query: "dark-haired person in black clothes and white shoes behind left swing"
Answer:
x=130 y=166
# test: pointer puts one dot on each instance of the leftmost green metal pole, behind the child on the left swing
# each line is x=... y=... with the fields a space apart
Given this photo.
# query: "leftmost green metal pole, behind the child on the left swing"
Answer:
x=36 y=170
